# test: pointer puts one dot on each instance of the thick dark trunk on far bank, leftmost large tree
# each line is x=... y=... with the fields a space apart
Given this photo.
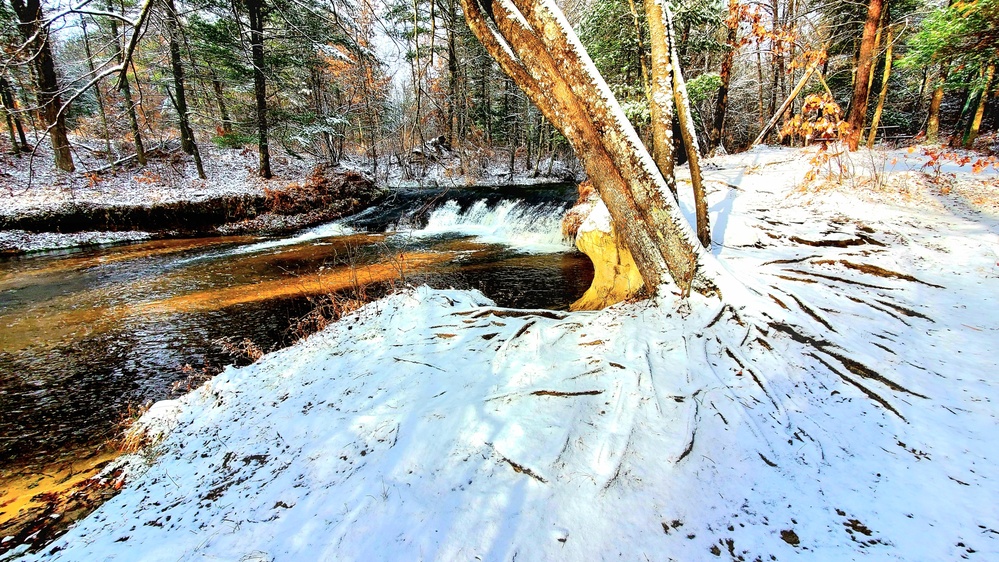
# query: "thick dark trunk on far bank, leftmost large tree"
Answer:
x=29 y=14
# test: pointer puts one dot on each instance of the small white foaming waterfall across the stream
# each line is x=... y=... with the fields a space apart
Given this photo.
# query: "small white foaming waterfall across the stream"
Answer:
x=535 y=228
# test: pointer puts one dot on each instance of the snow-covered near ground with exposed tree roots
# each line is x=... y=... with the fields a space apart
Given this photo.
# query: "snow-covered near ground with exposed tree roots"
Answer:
x=838 y=404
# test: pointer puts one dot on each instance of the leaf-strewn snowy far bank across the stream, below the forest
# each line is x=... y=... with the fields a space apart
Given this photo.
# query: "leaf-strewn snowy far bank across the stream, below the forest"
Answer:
x=42 y=209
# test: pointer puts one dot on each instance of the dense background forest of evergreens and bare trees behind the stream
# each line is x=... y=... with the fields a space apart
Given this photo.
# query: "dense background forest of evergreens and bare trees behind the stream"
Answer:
x=395 y=83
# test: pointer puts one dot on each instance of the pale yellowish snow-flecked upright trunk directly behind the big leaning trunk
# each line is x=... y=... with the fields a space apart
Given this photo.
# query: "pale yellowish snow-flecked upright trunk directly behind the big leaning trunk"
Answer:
x=661 y=93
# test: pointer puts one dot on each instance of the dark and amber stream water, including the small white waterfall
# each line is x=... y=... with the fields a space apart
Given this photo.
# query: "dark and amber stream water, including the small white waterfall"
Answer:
x=87 y=334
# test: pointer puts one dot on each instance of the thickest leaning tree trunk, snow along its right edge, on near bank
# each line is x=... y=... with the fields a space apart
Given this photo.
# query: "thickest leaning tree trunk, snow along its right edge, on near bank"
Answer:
x=535 y=45
